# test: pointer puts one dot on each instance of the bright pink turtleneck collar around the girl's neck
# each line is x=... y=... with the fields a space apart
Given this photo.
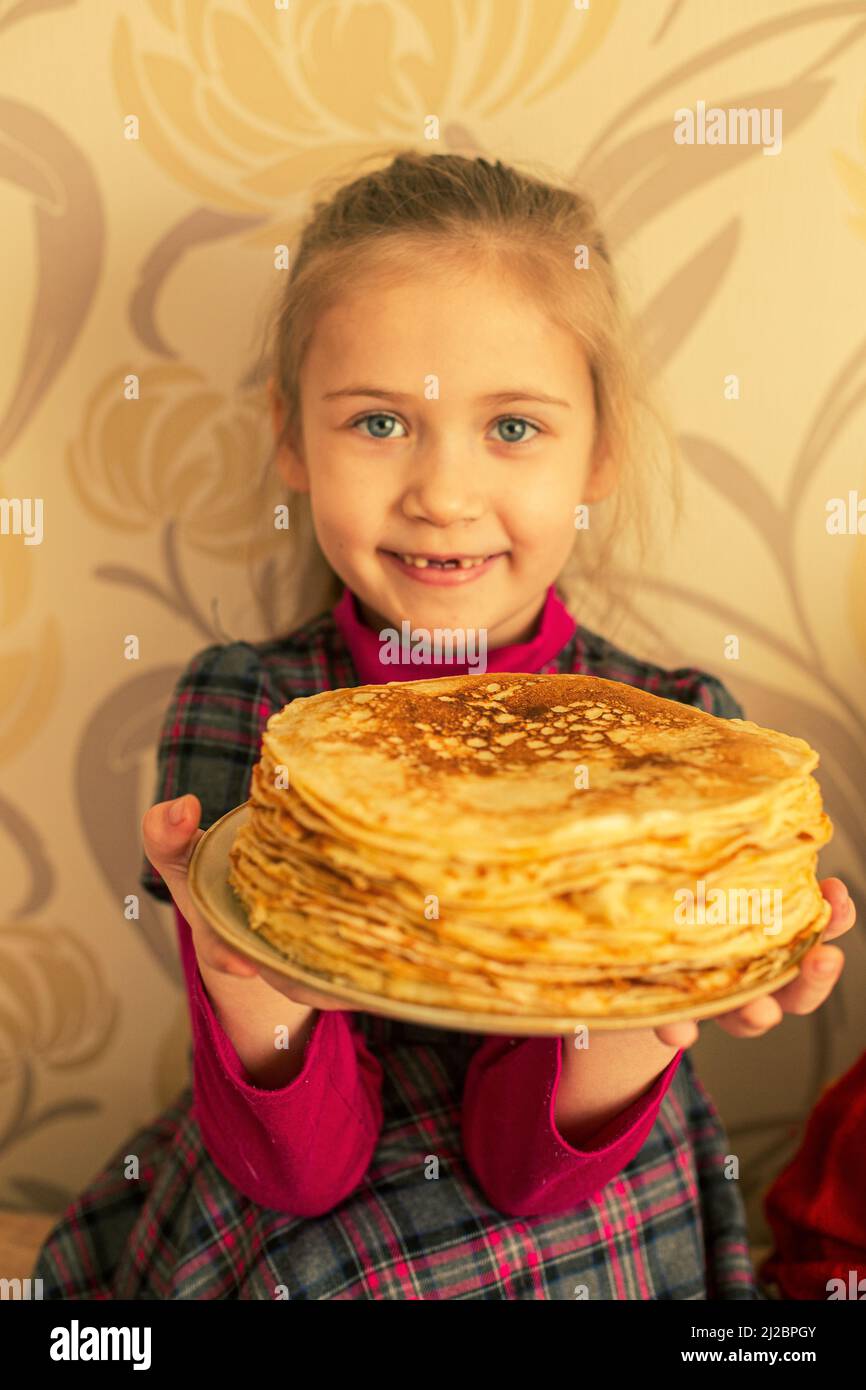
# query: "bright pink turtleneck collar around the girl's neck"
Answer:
x=555 y=629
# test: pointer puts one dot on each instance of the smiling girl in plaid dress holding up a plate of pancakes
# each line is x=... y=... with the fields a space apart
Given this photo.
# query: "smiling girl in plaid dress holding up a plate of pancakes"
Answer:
x=448 y=387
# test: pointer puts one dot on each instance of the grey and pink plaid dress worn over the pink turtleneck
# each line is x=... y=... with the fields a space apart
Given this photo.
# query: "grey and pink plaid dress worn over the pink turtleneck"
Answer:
x=671 y=1225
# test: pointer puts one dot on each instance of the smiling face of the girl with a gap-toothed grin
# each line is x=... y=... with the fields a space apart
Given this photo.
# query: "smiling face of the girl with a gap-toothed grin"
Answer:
x=446 y=419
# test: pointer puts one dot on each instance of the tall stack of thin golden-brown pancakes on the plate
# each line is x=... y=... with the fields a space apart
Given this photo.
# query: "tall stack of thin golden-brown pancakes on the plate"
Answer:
x=530 y=846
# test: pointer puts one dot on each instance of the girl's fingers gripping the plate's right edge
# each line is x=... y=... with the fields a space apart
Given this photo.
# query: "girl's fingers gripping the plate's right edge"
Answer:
x=821 y=970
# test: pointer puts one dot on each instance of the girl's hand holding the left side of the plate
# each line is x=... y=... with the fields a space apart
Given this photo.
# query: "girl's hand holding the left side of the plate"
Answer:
x=169 y=847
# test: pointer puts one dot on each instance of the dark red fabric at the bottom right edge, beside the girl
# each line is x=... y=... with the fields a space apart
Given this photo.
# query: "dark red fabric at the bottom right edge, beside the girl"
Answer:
x=817 y=1207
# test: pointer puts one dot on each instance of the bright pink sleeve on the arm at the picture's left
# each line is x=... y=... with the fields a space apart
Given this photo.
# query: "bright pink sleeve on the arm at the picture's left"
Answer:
x=301 y=1149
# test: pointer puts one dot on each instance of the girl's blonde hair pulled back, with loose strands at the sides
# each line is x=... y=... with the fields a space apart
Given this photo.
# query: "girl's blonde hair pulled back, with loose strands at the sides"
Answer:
x=469 y=213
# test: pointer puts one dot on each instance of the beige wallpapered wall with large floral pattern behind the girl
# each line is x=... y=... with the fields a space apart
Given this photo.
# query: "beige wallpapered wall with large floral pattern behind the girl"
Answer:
x=155 y=256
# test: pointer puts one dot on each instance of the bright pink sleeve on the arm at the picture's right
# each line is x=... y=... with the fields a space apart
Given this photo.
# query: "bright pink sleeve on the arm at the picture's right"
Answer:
x=522 y=1163
